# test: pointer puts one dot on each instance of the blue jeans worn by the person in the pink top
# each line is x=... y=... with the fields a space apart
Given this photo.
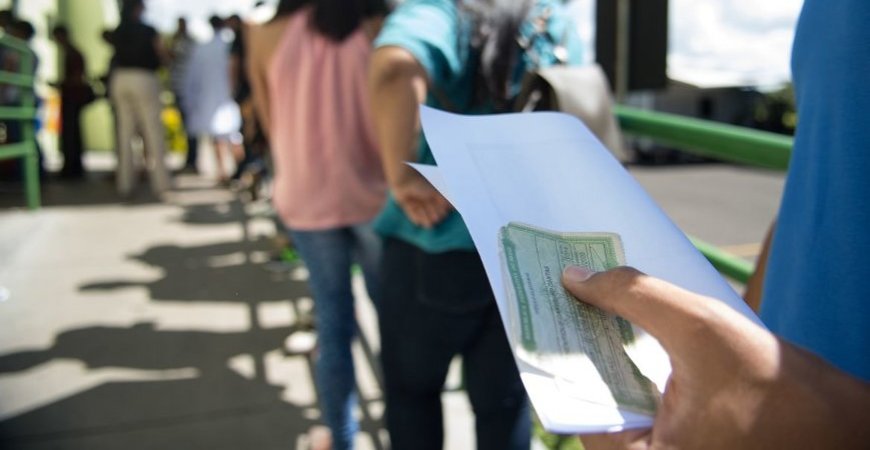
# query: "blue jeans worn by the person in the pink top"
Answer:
x=329 y=254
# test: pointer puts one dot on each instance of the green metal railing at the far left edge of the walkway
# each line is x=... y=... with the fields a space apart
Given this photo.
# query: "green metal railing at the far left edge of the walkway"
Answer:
x=25 y=112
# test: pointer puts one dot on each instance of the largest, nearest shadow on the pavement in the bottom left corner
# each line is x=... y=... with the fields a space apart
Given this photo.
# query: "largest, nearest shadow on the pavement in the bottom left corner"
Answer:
x=211 y=406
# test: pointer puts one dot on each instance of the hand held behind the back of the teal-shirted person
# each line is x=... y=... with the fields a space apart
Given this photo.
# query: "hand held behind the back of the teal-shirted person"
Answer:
x=421 y=202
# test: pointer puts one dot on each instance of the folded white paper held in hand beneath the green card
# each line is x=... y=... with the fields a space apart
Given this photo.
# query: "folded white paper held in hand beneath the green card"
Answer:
x=548 y=170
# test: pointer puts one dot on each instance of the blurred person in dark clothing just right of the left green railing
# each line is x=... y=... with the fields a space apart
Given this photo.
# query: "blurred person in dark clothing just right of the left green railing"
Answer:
x=75 y=93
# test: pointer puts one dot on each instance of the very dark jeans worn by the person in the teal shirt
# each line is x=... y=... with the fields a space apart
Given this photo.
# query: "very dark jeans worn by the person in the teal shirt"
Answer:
x=433 y=307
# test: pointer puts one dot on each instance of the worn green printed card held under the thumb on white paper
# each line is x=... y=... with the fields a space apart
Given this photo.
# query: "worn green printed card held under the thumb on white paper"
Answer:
x=578 y=344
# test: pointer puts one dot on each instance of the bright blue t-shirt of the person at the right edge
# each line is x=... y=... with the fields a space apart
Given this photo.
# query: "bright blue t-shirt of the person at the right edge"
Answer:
x=817 y=289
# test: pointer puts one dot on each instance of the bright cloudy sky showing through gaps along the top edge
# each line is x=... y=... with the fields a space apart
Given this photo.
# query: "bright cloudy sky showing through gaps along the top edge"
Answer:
x=712 y=42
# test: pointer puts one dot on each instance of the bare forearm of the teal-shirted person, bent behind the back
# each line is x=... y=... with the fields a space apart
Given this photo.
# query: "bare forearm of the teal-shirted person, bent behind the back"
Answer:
x=397 y=86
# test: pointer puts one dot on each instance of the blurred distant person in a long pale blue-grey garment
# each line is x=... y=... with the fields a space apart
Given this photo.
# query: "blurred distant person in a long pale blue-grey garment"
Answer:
x=208 y=102
